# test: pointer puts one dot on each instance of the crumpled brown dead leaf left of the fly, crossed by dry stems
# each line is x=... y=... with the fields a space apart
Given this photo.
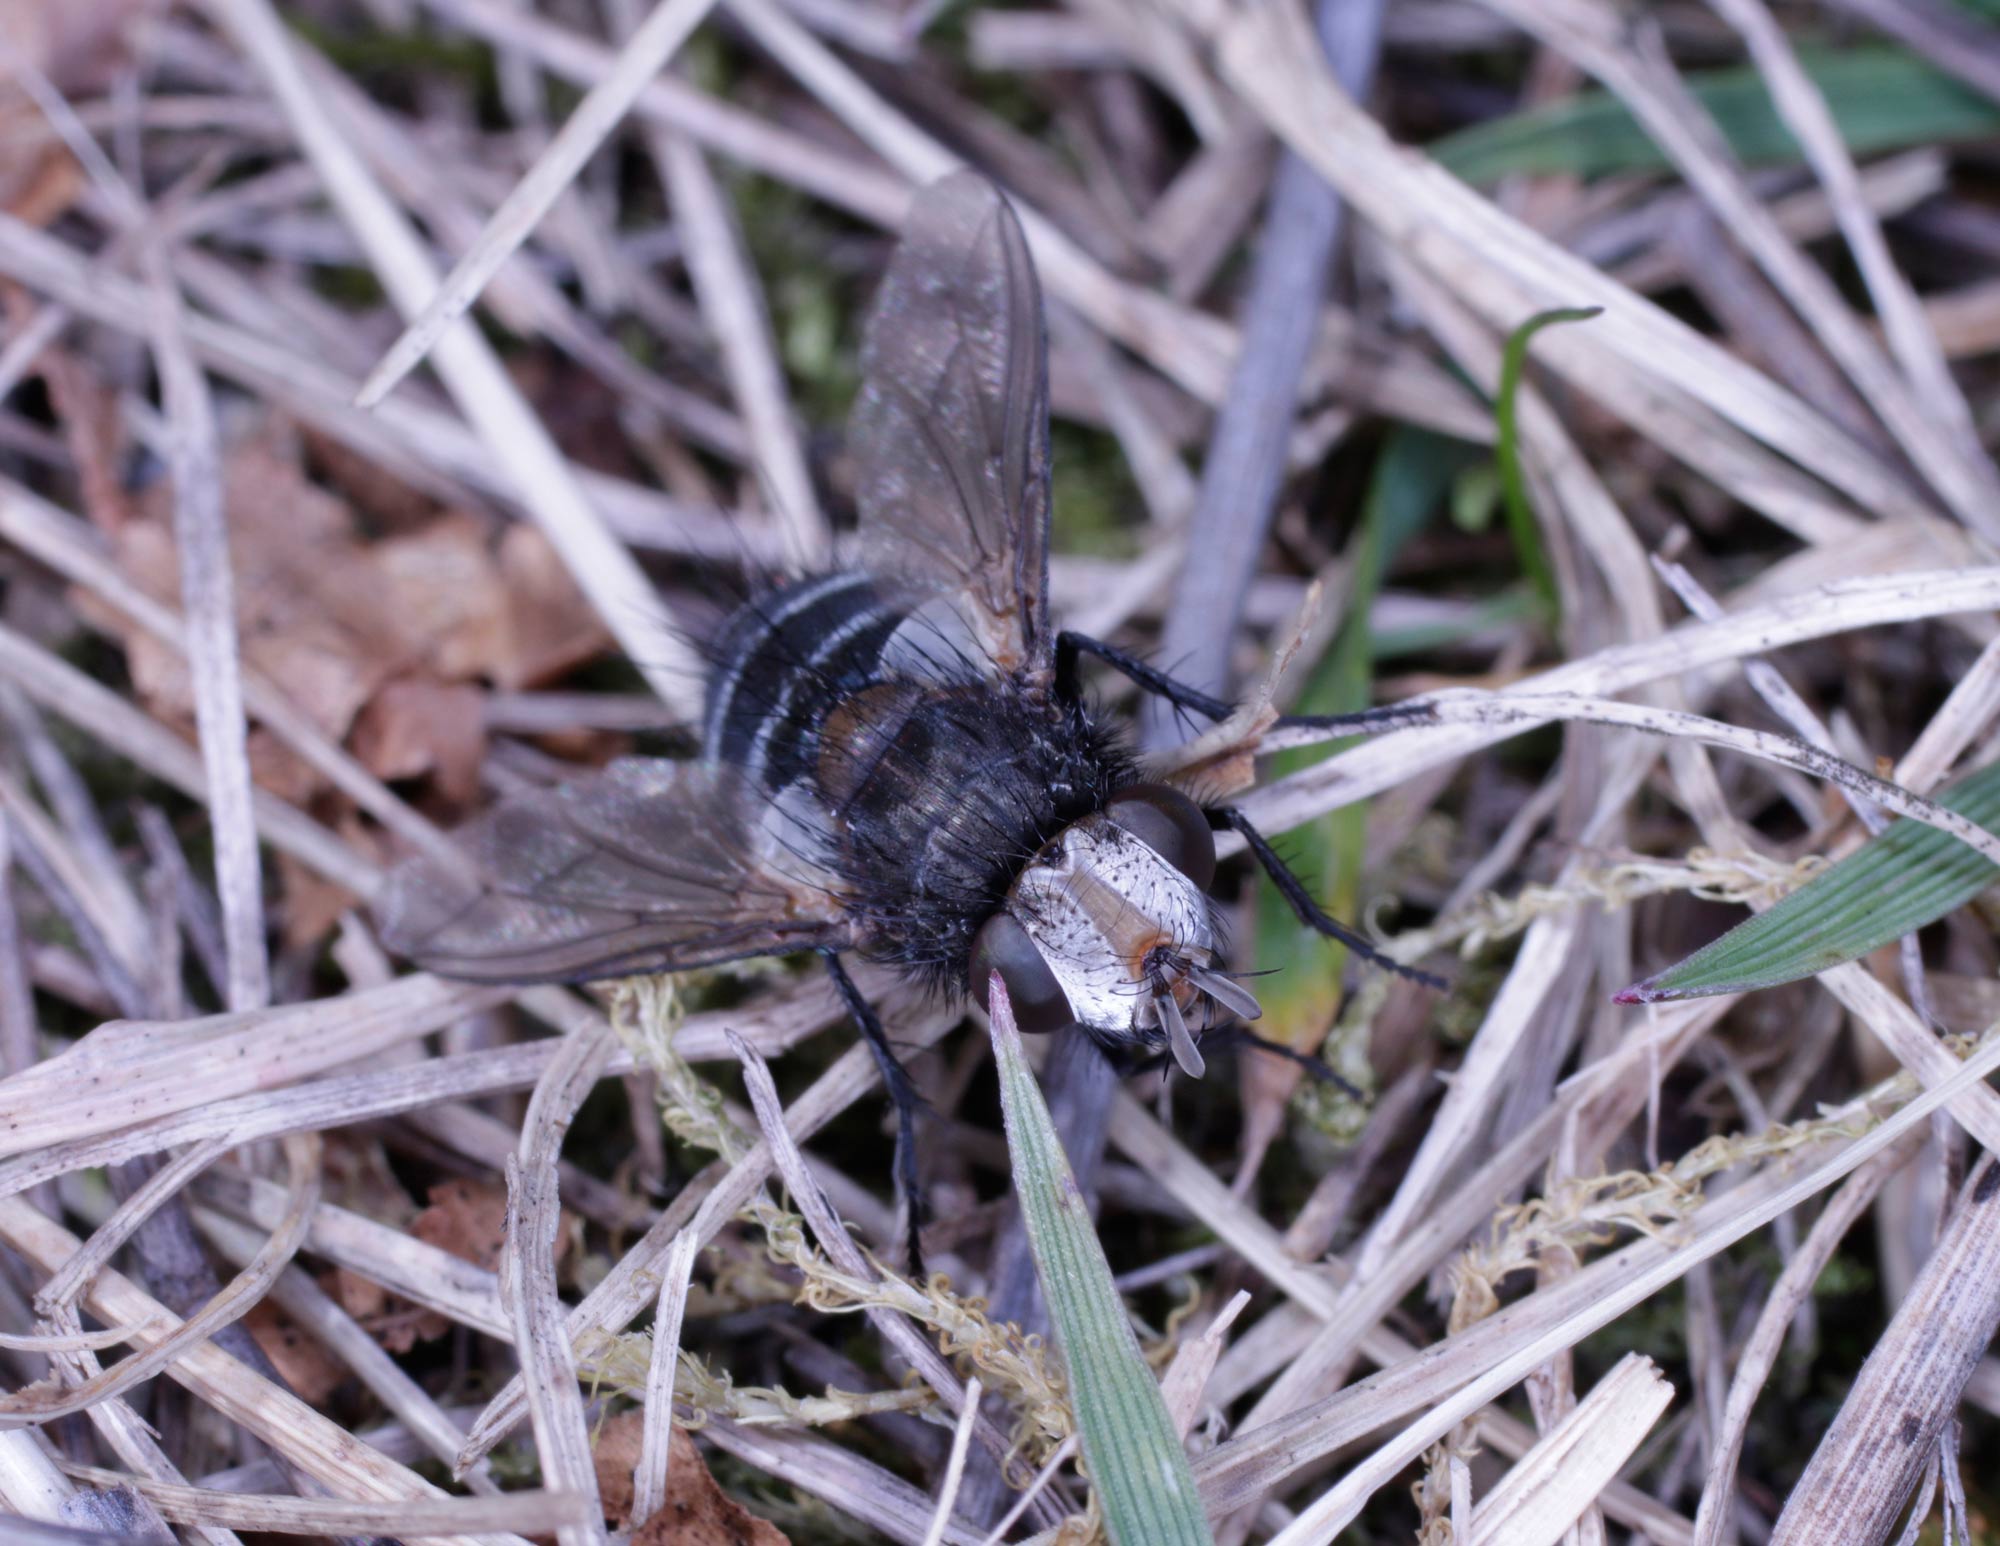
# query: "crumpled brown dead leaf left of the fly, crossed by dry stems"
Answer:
x=381 y=641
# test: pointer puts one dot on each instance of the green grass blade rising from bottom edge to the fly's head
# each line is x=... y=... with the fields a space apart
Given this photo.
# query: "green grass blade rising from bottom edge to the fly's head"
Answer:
x=1131 y=1449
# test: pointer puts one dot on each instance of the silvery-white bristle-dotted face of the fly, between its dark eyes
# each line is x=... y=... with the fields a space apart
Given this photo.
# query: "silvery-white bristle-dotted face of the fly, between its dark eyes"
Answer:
x=1105 y=909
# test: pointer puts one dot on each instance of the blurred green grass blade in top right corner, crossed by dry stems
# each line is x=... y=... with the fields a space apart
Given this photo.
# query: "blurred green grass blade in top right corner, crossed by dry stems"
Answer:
x=1883 y=99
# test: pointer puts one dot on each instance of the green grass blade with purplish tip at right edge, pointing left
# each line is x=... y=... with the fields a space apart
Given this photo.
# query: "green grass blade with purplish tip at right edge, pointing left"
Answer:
x=1903 y=879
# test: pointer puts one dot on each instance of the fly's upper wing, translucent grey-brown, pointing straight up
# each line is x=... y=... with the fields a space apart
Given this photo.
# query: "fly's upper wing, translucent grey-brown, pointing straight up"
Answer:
x=951 y=429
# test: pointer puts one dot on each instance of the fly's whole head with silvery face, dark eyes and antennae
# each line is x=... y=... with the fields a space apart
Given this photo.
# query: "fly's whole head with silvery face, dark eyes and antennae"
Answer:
x=1111 y=929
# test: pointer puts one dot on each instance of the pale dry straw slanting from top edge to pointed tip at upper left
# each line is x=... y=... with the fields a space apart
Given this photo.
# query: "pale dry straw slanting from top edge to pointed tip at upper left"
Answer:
x=597 y=117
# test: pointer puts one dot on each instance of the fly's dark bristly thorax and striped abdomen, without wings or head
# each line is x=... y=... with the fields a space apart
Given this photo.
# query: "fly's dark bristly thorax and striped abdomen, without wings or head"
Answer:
x=937 y=779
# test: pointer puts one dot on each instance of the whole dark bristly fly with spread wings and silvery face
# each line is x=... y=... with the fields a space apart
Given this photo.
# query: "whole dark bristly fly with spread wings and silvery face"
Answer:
x=897 y=757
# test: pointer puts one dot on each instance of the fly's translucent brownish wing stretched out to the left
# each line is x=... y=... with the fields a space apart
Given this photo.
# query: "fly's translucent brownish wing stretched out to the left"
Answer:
x=645 y=867
